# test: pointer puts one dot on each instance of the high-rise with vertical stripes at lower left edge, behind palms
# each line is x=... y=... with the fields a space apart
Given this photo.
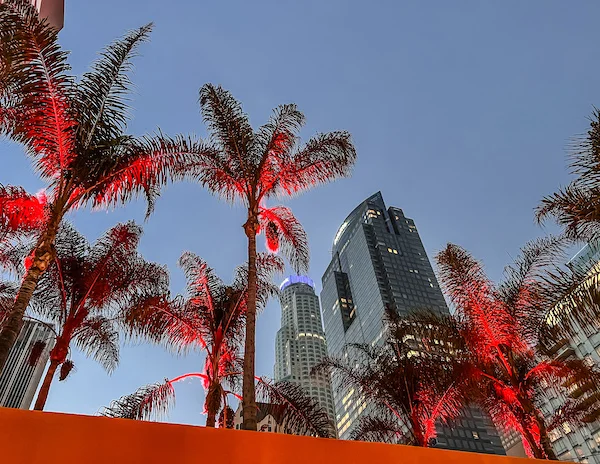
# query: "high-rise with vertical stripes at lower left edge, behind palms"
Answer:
x=19 y=380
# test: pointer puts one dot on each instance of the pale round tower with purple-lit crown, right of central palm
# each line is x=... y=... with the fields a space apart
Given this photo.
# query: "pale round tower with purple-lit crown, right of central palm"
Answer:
x=300 y=343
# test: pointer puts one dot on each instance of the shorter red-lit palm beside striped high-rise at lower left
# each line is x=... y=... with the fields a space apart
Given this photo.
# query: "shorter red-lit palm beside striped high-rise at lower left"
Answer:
x=85 y=294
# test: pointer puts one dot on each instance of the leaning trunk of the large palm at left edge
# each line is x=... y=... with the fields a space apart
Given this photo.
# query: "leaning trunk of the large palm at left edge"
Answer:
x=13 y=322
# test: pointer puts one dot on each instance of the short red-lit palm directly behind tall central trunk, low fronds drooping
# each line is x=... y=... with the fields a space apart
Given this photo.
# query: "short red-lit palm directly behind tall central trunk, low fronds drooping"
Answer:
x=210 y=318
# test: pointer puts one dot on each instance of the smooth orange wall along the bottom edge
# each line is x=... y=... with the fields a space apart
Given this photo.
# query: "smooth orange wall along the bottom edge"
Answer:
x=31 y=437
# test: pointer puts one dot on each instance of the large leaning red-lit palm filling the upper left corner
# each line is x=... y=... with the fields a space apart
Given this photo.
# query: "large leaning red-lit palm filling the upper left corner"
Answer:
x=74 y=131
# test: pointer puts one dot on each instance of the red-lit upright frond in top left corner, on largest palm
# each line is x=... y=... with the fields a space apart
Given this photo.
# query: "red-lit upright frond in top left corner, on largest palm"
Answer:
x=41 y=114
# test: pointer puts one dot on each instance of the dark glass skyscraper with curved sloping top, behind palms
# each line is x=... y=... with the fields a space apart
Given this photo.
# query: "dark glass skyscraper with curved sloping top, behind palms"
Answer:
x=378 y=260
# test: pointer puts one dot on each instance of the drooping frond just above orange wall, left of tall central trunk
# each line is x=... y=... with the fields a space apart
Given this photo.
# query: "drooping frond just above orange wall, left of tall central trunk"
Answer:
x=150 y=401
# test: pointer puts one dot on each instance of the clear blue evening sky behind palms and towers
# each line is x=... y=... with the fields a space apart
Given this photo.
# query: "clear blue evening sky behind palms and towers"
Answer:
x=461 y=113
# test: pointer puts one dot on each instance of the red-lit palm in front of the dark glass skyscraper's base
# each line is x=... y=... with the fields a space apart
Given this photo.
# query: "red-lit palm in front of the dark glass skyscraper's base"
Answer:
x=407 y=386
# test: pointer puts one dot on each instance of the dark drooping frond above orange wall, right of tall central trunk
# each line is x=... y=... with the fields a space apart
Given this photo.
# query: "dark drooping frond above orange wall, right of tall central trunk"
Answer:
x=298 y=413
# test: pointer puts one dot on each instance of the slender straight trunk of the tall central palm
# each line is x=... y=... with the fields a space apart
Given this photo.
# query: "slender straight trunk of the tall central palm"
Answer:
x=248 y=388
